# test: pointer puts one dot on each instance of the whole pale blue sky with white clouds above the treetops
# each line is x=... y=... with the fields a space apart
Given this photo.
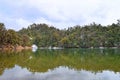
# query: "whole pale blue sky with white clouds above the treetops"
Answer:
x=16 y=14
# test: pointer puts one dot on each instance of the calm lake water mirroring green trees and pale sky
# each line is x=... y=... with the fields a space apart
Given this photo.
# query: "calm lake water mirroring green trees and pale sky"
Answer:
x=66 y=64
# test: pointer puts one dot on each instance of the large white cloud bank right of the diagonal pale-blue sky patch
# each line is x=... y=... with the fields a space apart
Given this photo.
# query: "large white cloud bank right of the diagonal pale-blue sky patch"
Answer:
x=80 y=11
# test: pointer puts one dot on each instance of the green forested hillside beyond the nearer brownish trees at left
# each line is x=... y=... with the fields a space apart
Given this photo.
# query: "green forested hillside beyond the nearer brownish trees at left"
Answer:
x=92 y=35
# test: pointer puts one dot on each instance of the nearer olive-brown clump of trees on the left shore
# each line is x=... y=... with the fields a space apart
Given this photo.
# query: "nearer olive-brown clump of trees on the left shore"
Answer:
x=10 y=38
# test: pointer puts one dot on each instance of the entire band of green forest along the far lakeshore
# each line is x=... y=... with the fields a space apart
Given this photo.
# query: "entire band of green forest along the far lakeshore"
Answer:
x=87 y=36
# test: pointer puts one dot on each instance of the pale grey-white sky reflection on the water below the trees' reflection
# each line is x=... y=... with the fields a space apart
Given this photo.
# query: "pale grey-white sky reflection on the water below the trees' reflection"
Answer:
x=60 y=73
